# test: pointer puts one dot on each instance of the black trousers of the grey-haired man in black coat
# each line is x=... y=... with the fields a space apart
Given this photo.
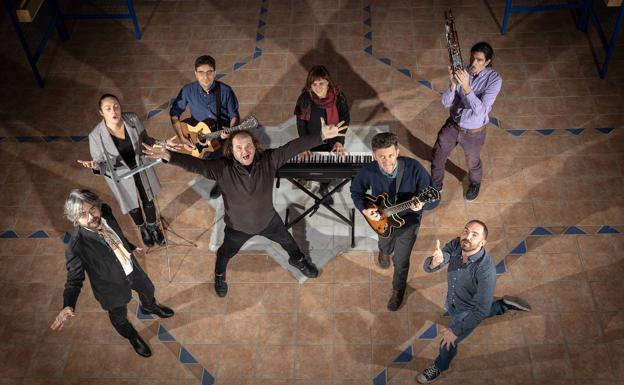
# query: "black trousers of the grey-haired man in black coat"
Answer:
x=139 y=282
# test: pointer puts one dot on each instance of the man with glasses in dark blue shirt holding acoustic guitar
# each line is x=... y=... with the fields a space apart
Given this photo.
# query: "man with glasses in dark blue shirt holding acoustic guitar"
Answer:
x=207 y=98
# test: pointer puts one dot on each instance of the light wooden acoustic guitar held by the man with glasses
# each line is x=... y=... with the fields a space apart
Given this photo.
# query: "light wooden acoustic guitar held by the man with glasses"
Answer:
x=205 y=138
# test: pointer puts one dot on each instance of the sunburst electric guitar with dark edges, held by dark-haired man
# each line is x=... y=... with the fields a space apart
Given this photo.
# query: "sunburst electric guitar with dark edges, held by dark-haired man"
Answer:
x=389 y=214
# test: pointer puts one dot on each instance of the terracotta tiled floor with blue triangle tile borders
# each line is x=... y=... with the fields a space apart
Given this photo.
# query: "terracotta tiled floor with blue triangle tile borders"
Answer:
x=554 y=165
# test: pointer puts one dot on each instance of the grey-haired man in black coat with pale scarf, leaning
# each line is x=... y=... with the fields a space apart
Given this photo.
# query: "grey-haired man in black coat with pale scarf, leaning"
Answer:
x=99 y=248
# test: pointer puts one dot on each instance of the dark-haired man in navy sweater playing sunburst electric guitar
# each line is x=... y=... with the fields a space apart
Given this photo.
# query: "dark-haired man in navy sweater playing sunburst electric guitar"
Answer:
x=383 y=175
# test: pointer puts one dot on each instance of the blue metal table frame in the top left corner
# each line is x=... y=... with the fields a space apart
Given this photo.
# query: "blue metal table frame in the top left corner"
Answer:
x=57 y=21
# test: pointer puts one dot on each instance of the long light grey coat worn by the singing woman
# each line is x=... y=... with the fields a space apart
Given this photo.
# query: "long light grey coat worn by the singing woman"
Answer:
x=101 y=143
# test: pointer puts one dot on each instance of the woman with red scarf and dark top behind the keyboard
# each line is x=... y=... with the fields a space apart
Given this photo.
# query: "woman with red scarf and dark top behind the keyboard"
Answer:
x=320 y=98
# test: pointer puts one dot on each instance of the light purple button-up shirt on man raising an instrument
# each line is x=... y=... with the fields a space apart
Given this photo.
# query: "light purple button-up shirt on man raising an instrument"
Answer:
x=471 y=111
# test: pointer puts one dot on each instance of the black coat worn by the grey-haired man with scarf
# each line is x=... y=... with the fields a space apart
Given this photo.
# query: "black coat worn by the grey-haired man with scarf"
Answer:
x=88 y=252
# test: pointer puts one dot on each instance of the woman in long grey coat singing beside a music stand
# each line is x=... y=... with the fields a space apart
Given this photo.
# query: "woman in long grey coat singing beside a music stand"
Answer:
x=119 y=137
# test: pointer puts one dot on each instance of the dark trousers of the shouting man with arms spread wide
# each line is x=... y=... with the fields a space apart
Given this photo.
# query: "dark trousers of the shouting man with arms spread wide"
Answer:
x=234 y=240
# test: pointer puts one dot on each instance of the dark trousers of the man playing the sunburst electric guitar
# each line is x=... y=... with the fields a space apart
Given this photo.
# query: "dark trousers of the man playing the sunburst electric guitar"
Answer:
x=401 y=241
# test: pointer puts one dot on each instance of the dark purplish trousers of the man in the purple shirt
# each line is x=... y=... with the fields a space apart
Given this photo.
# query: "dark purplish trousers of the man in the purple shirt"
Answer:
x=448 y=138
